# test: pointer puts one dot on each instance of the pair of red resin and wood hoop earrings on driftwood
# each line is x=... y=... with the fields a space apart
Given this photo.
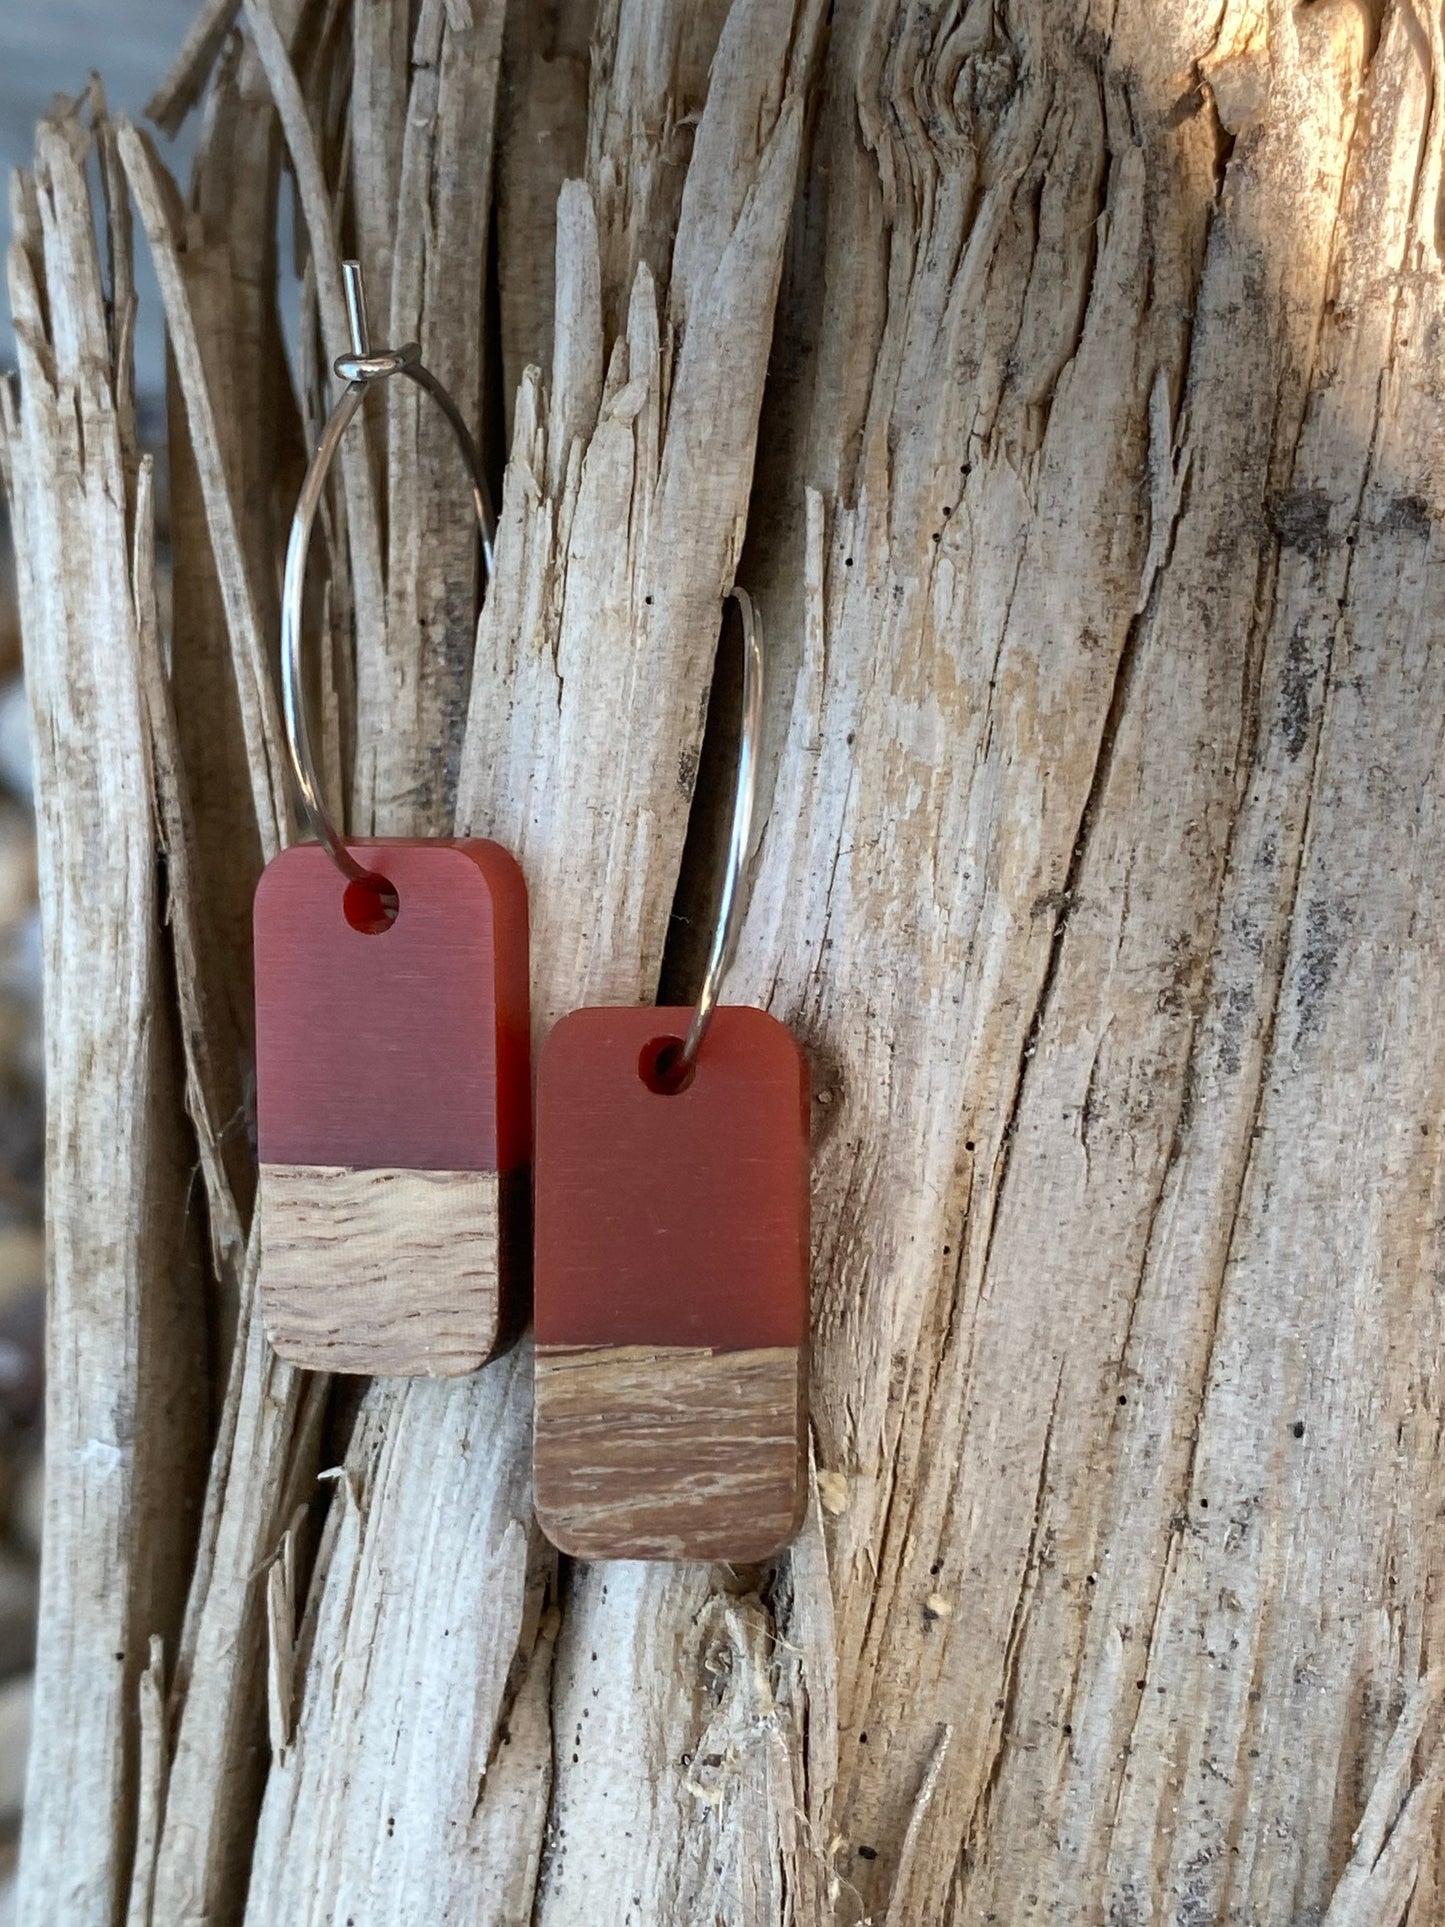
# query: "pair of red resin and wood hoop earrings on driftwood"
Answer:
x=658 y=1215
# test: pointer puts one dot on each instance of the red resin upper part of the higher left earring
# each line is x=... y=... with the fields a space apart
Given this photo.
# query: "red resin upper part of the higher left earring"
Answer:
x=406 y=1049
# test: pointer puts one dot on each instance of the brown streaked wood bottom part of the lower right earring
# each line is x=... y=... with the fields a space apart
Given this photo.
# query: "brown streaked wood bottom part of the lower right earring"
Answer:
x=670 y=1452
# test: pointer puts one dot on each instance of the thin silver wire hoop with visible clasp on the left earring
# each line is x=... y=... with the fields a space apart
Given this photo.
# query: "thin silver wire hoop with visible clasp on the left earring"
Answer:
x=359 y=371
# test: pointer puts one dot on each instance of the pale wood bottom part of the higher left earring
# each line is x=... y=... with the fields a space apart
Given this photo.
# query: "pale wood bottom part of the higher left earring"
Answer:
x=384 y=1273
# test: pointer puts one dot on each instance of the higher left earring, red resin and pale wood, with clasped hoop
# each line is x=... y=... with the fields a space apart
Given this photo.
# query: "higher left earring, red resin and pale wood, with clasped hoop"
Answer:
x=392 y=1042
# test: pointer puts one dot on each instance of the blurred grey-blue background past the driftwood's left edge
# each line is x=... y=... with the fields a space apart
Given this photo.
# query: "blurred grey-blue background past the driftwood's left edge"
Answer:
x=43 y=51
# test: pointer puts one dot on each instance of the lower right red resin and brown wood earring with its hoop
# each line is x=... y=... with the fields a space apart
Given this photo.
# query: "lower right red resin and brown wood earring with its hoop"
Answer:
x=671 y=1261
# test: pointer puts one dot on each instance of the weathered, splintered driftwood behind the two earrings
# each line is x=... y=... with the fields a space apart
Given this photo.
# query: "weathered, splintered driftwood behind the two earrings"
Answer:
x=1066 y=392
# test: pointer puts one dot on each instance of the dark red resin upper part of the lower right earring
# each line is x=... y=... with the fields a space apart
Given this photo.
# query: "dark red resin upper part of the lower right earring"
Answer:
x=671 y=1221
